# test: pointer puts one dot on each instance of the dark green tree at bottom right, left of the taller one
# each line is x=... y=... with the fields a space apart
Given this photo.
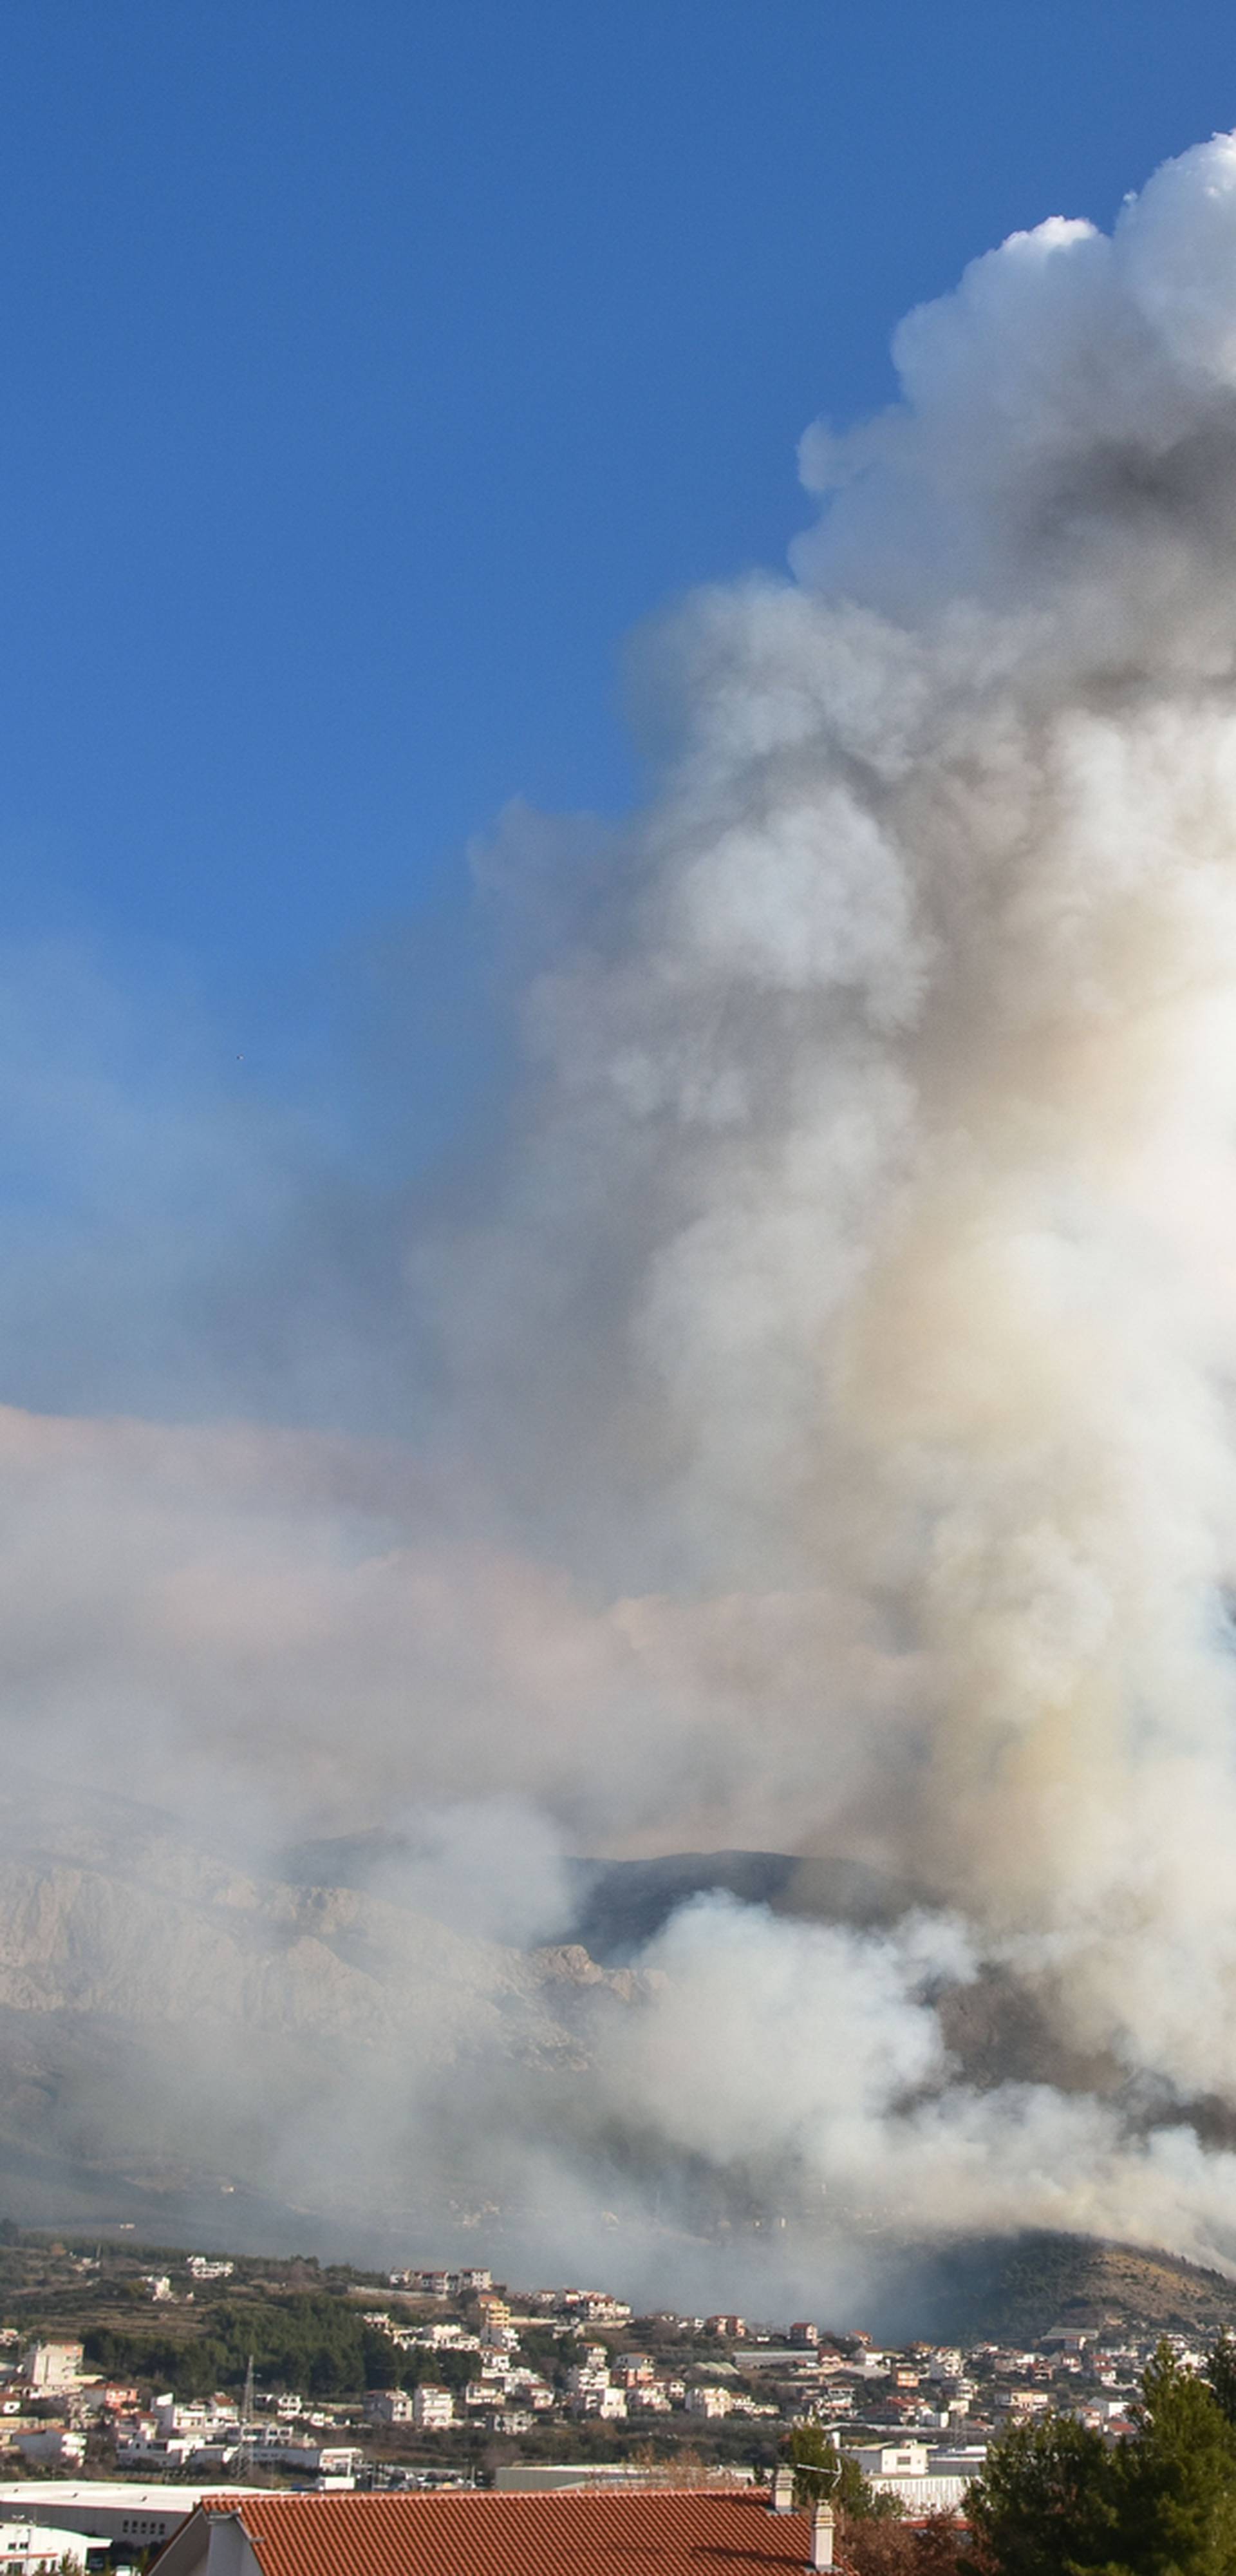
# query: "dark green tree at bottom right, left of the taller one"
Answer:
x=1047 y=2500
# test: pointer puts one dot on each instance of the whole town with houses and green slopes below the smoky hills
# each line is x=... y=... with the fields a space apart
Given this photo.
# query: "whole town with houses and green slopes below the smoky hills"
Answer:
x=125 y=2361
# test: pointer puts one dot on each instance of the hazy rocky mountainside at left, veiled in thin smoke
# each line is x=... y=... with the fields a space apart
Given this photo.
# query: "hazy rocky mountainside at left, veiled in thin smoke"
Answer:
x=189 y=2044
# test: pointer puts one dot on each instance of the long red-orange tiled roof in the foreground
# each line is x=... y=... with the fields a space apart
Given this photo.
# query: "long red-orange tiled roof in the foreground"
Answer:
x=465 y=2533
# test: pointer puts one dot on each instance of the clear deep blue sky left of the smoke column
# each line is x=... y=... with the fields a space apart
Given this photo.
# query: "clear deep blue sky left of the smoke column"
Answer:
x=367 y=377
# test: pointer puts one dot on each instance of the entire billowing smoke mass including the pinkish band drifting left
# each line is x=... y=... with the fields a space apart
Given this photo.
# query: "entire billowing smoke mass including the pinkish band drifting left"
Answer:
x=833 y=1369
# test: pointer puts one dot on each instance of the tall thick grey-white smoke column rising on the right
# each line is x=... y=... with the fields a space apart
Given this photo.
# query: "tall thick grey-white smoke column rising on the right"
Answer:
x=887 y=1114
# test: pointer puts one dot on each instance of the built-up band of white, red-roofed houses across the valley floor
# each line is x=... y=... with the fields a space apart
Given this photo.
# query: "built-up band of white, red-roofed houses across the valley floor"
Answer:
x=473 y=2358
